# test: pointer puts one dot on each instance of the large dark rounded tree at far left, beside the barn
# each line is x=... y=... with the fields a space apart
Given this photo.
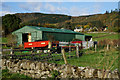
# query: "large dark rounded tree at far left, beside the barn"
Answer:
x=10 y=23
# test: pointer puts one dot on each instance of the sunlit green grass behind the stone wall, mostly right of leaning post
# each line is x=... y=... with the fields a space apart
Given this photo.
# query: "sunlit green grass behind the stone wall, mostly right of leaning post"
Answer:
x=100 y=59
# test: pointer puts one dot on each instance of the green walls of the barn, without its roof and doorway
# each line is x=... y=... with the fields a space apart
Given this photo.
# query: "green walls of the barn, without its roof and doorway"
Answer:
x=36 y=34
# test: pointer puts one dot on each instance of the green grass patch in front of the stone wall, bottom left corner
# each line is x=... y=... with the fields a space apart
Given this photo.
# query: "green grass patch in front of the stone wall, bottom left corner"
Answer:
x=7 y=75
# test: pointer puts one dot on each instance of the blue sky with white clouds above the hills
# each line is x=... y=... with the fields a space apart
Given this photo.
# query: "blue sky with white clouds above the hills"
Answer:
x=71 y=7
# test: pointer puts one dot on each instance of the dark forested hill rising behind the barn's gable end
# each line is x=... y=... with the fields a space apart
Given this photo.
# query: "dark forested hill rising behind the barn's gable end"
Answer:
x=40 y=18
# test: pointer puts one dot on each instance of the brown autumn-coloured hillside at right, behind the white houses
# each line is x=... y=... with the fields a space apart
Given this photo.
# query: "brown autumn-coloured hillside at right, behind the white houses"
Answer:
x=98 y=20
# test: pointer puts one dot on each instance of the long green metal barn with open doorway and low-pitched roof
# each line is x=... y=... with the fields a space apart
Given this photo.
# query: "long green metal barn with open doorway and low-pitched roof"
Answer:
x=35 y=33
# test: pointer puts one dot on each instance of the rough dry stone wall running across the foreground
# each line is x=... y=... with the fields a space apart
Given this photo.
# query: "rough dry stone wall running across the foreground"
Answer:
x=37 y=69
